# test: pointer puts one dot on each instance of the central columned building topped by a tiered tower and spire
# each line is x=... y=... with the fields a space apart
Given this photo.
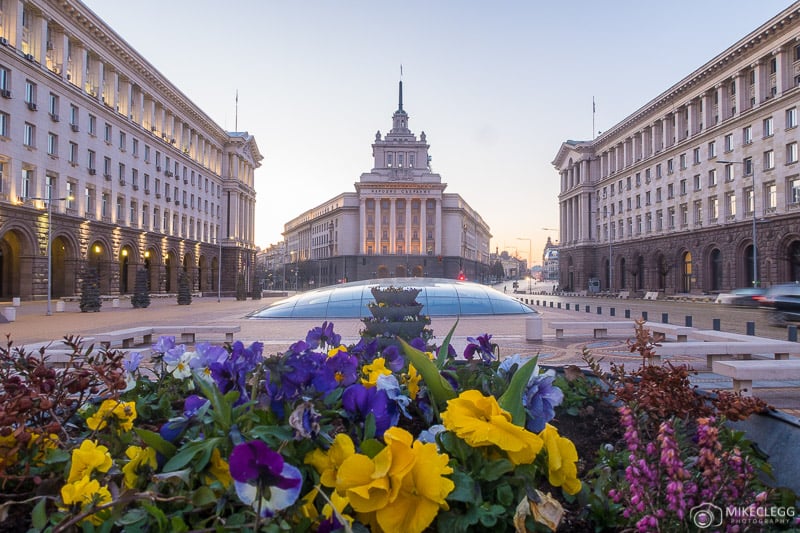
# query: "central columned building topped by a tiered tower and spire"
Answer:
x=399 y=222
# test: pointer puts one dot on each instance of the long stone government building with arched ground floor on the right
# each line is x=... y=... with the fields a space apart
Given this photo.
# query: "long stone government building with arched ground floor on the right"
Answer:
x=698 y=190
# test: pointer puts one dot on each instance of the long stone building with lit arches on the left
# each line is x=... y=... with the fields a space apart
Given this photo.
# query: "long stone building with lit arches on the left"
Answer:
x=103 y=155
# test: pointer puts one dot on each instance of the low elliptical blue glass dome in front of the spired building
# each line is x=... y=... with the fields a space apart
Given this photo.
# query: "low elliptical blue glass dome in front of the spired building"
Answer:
x=440 y=297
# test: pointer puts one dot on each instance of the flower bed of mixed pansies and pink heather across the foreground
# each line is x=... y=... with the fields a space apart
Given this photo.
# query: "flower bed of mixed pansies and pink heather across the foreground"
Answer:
x=329 y=437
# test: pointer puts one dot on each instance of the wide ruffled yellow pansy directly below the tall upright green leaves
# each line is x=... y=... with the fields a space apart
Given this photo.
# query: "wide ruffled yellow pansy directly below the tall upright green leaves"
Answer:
x=480 y=421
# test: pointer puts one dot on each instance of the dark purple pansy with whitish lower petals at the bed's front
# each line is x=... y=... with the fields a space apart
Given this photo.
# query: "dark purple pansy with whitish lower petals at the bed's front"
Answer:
x=262 y=478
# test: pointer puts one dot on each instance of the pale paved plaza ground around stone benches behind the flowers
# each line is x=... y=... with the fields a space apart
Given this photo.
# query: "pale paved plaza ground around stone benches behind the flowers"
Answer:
x=34 y=326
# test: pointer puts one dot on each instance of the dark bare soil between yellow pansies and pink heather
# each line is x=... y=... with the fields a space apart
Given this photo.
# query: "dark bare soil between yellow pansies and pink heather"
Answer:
x=594 y=427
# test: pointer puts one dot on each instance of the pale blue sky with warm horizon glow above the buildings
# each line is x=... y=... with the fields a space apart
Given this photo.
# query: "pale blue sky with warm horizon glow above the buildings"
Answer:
x=496 y=86
